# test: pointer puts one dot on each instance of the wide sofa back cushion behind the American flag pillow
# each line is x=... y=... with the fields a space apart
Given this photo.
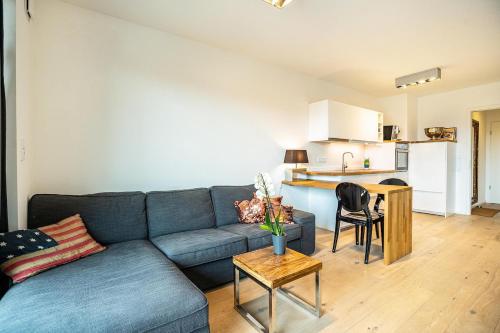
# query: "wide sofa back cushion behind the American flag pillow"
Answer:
x=109 y=217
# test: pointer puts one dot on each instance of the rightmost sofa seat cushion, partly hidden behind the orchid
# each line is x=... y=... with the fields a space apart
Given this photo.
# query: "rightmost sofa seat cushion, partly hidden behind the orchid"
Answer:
x=258 y=238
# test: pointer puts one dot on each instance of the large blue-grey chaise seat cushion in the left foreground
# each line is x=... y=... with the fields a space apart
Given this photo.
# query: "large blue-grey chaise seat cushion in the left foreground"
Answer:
x=131 y=287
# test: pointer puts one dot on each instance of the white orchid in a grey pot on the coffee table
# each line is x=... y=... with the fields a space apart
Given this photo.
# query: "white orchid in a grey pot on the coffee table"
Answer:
x=265 y=189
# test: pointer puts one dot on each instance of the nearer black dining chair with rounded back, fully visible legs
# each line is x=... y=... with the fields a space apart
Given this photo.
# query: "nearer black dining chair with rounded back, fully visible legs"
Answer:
x=354 y=200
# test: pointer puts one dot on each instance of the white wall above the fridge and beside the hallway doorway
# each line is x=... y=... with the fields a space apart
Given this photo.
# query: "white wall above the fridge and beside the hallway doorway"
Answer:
x=452 y=109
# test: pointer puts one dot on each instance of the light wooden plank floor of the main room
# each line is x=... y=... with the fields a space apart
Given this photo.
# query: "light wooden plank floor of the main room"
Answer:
x=450 y=283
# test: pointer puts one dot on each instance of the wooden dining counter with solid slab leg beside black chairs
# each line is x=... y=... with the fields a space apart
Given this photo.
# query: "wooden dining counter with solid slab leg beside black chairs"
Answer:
x=397 y=214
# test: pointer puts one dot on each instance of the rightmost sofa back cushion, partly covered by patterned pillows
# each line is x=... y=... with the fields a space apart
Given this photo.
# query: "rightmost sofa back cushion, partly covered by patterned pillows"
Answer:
x=223 y=198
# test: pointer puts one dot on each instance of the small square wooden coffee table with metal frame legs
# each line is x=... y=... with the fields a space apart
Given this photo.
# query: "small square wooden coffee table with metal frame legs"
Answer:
x=271 y=272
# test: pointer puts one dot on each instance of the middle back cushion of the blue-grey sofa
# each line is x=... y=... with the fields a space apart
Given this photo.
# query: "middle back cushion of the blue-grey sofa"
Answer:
x=179 y=210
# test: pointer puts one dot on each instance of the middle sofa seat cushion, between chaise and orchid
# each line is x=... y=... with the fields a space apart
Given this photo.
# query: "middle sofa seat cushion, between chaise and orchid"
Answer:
x=196 y=247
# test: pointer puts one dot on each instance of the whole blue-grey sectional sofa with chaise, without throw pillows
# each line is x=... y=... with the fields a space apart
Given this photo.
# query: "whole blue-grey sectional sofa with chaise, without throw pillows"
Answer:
x=163 y=249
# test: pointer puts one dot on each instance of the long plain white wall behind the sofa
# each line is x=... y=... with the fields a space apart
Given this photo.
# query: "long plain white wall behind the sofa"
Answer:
x=118 y=106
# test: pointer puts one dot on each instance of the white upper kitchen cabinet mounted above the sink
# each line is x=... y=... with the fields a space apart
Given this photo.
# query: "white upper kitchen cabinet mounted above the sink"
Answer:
x=331 y=120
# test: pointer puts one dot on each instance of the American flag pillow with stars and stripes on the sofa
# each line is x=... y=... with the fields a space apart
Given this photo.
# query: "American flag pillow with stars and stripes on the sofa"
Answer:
x=25 y=253
